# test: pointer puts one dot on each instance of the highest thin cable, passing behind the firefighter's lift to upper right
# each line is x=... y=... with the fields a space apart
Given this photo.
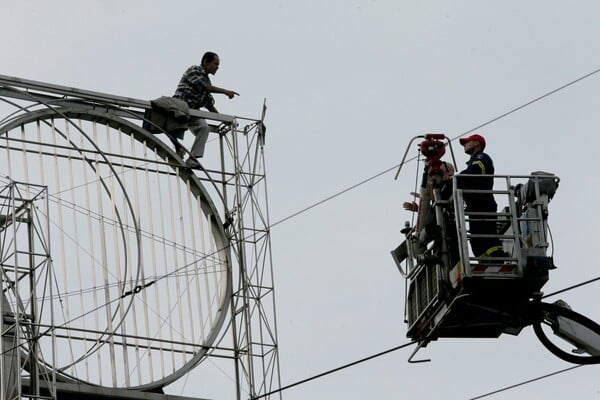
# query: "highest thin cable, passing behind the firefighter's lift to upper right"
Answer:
x=535 y=100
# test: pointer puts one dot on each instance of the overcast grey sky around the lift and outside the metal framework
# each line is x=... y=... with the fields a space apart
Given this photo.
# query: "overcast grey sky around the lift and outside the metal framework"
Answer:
x=348 y=84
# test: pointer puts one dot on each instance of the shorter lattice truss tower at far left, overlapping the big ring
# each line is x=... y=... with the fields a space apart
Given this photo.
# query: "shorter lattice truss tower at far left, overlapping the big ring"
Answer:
x=26 y=280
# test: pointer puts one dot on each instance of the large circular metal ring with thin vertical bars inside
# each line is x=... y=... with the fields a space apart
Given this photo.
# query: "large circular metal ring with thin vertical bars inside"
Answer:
x=140 y=323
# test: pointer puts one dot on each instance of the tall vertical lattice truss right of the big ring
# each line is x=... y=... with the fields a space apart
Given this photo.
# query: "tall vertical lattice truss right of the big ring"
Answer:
x=254 y=302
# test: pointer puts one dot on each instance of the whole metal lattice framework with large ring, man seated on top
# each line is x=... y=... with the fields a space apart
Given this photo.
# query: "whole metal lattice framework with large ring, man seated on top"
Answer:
x=155 y=266
